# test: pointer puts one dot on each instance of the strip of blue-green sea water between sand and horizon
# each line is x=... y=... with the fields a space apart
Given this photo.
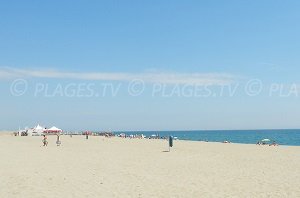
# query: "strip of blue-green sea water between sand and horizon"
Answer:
x=282 y=137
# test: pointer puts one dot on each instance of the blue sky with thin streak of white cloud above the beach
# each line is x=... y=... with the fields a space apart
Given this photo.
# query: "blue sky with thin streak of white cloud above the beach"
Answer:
x=150 y=65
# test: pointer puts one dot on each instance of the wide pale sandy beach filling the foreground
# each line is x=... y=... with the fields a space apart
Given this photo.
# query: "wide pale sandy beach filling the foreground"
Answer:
x=117 y=167
